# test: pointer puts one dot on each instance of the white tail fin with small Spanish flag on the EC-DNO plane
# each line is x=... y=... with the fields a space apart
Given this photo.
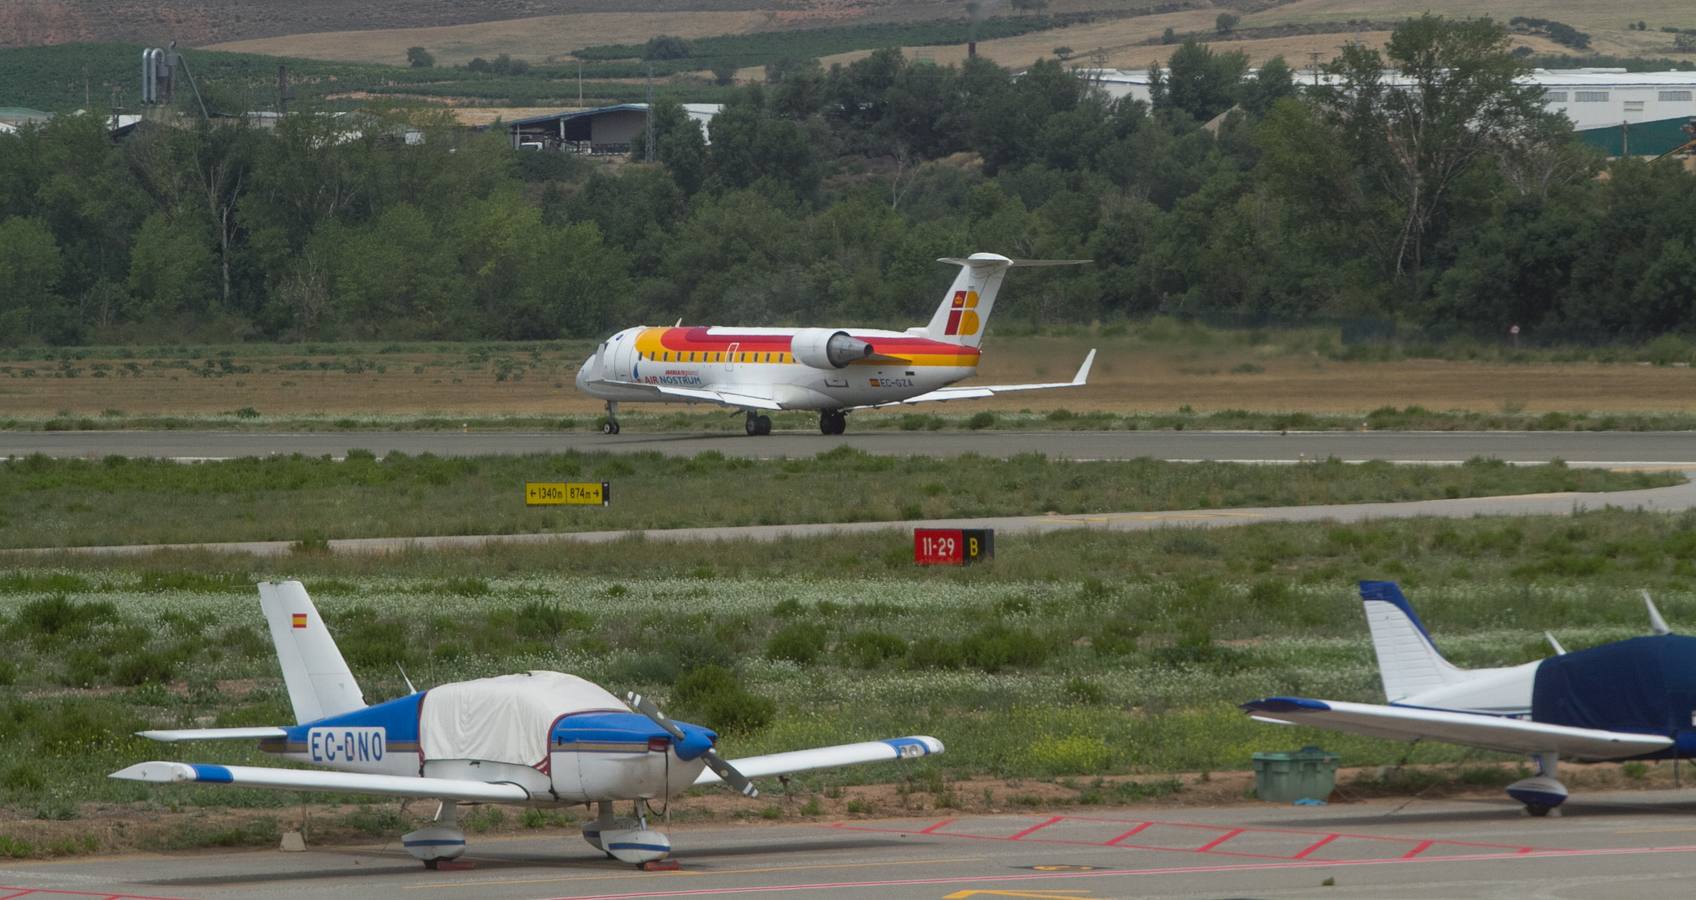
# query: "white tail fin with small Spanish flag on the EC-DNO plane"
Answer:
x=320 y=682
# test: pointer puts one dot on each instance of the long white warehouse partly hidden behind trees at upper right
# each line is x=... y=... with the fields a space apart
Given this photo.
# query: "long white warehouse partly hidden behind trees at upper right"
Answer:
x=1622 y=113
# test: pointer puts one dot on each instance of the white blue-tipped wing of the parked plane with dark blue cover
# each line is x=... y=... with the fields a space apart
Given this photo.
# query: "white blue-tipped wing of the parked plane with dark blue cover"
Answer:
x=1454 y=728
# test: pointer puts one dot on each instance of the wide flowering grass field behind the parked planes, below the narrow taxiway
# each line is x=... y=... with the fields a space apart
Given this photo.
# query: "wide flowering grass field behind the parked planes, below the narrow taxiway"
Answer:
x=1068 y=658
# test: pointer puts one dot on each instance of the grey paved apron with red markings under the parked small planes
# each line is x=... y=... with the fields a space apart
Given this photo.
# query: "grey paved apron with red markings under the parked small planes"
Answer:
x=1607 y=845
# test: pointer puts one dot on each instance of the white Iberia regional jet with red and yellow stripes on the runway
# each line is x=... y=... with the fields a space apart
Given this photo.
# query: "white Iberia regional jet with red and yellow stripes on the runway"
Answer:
x=827 y=370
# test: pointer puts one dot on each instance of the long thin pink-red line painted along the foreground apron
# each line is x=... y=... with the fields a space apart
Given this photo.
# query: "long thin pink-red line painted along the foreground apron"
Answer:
x=1129 y=874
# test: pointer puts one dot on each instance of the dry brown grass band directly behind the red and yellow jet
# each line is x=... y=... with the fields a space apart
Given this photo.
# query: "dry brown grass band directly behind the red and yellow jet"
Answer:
x=1129 y=377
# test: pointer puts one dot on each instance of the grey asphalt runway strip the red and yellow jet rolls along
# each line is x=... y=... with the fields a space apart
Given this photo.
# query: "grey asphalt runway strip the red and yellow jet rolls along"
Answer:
x=1580 y=448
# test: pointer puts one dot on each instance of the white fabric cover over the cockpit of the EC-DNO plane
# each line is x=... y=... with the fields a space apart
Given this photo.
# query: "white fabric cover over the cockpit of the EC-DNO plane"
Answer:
x=505 y=719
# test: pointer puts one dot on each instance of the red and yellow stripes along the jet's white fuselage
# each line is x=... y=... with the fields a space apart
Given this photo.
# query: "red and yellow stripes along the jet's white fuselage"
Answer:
x=701 y=345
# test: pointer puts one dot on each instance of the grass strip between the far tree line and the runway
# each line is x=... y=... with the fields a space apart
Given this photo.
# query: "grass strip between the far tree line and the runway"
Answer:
x=1164 y=372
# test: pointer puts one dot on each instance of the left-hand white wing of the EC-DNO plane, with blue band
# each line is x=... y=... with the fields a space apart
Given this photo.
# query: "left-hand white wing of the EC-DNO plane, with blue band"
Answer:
x=320 y=781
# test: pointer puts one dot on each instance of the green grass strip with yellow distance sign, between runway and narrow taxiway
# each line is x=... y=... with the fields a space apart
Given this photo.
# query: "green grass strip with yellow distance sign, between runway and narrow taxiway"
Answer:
x=74 y=503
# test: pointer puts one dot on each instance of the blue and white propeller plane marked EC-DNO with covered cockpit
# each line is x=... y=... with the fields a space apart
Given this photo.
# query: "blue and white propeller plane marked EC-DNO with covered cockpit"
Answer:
x=538 y=740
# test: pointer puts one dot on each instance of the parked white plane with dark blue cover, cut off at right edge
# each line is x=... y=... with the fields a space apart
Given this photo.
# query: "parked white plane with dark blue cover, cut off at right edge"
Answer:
x=1626 y=701
